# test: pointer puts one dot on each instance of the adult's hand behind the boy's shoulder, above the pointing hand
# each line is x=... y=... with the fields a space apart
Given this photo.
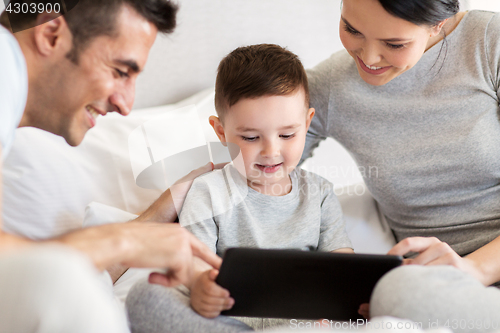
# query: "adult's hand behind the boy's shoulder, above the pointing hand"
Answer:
x=166 y=208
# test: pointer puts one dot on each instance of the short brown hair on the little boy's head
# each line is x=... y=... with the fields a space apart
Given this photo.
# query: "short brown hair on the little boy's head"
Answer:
x=256 y=71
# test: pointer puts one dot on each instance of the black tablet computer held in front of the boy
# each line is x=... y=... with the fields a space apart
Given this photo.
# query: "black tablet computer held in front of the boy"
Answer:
x=299 y=284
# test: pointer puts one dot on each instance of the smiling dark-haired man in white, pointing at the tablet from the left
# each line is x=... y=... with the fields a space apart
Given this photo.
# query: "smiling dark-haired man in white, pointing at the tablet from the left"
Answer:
x=59 y=74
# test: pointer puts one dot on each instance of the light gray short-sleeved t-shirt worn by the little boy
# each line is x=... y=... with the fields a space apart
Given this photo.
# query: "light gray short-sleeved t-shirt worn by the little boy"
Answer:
x=223 y=212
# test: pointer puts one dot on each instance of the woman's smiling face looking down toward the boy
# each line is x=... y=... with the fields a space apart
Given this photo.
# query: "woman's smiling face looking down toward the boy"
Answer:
x=383 y=46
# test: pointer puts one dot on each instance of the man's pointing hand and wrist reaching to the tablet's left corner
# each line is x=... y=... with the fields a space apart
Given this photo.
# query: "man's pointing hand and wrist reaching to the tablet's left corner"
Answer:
x=144 y=244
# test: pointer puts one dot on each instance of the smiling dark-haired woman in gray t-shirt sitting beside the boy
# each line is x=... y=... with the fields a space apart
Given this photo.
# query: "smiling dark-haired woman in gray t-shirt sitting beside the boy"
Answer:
x=416 y=95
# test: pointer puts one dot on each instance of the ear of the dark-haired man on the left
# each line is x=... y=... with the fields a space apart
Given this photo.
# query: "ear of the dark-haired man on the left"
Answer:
x=51 y=33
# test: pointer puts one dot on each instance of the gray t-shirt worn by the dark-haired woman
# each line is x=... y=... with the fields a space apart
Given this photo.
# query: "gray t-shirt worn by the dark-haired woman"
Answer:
x=430 y=137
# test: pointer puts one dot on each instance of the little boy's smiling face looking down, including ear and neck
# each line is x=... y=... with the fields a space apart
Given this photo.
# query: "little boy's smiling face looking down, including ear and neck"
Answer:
x=270 y=132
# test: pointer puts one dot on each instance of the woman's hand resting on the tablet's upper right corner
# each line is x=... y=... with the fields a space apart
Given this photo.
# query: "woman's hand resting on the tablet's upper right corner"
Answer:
x=432 y=251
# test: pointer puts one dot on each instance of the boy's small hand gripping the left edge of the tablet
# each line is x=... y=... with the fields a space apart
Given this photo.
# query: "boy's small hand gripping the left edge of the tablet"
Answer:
x=207 y=297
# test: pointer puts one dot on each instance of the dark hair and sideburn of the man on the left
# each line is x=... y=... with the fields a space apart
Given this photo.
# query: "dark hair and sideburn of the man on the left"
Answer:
x=93 y=18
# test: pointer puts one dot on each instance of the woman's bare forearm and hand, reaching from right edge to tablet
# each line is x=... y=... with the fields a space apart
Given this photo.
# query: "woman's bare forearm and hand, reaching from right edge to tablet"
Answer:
x=483 y=263
